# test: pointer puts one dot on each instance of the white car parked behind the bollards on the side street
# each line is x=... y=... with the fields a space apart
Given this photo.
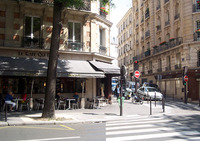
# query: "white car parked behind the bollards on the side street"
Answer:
x=148 y=92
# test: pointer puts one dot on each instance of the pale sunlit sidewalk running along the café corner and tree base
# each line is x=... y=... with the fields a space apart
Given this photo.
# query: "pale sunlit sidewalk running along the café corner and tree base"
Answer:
x=106 y=113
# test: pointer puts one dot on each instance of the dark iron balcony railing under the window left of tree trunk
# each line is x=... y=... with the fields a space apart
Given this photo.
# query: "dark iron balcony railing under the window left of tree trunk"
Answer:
x=29 y=42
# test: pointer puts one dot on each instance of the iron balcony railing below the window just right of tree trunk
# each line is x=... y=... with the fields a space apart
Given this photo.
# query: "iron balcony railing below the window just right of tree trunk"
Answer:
x=74 y=46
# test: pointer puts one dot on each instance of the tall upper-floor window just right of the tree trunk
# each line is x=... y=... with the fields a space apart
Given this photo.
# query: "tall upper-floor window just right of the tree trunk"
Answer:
x=74 y=32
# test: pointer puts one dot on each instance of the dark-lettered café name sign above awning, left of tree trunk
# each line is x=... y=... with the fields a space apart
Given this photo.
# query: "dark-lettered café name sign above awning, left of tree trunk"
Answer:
x=33 y=54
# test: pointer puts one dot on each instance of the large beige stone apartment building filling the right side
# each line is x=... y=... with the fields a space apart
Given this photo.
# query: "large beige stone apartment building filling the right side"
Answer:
x=166 y=38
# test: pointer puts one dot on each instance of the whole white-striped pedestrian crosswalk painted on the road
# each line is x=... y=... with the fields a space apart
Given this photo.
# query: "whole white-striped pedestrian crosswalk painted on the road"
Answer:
x=149 y=128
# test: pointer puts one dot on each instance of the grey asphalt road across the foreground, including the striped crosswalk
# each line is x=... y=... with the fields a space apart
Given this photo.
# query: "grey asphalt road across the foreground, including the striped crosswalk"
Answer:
x=182 y=127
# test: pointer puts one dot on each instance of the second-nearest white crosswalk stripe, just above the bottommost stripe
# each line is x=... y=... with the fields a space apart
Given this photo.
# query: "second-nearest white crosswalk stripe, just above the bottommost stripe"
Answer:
x=158 y=129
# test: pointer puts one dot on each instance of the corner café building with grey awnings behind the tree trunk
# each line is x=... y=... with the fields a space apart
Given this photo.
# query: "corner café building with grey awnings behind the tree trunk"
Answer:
x=84 y=53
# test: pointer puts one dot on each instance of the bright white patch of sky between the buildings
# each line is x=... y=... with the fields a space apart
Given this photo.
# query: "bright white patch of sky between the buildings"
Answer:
x=120 y=9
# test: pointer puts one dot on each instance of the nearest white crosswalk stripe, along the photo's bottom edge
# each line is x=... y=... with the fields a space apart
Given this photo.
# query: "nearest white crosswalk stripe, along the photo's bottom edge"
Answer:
x=151 y=136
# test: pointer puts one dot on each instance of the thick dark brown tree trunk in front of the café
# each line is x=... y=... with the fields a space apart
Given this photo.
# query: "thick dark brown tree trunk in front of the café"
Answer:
x=49 y=105
